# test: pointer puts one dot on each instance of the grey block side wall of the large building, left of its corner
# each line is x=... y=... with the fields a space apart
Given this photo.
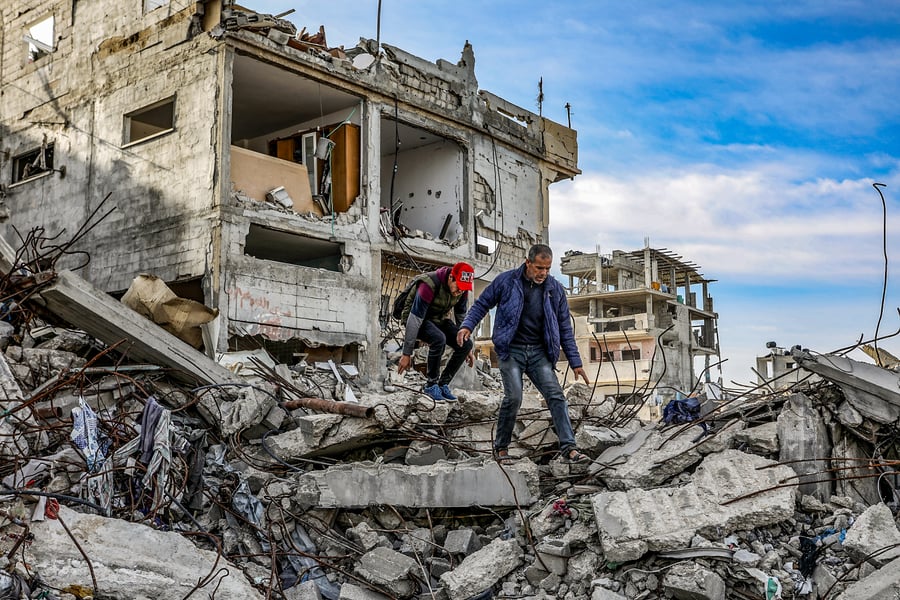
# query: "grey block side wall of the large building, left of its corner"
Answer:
x=161 y=188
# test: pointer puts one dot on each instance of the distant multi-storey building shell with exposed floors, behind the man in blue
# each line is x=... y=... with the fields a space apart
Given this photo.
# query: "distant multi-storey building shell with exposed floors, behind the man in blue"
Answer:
x=640 y=323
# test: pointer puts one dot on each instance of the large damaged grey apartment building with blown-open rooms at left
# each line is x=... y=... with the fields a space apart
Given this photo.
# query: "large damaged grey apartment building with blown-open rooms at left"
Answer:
x=290 y=186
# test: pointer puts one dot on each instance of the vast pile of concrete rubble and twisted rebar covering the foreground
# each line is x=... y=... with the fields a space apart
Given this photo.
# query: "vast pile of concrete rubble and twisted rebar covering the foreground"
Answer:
x=122 y=478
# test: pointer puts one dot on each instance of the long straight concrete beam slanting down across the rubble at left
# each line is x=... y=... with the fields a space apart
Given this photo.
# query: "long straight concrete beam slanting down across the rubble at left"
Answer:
x=94 y=311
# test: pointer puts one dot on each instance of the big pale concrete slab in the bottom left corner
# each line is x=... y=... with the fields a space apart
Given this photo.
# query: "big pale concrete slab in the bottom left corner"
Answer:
x=129 y=560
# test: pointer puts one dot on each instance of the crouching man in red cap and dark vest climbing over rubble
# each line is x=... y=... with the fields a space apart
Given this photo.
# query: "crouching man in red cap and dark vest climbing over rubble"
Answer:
x=426 y=314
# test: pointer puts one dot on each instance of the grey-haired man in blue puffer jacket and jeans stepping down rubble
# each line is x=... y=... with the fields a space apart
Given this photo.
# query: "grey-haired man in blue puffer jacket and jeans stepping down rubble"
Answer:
x=532 y=323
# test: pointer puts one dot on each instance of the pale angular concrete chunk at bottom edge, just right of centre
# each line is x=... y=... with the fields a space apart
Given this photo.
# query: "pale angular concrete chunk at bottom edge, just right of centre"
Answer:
x=481 y=570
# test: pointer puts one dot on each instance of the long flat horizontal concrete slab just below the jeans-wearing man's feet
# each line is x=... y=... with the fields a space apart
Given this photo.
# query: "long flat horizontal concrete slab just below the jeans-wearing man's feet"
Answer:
x=467 y=483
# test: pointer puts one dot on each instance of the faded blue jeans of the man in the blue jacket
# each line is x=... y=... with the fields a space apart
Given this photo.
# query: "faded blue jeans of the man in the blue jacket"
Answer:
x=531 y=361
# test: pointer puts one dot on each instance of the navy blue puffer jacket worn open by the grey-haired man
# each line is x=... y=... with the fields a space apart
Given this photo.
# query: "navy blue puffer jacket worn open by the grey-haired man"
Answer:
x=507 y=294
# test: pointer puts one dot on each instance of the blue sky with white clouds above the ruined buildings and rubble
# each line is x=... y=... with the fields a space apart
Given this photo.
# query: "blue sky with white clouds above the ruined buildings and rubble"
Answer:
x=744 y=136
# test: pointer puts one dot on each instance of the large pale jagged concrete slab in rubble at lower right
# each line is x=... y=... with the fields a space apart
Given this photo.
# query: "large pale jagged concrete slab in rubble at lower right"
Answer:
x=634 y=522
